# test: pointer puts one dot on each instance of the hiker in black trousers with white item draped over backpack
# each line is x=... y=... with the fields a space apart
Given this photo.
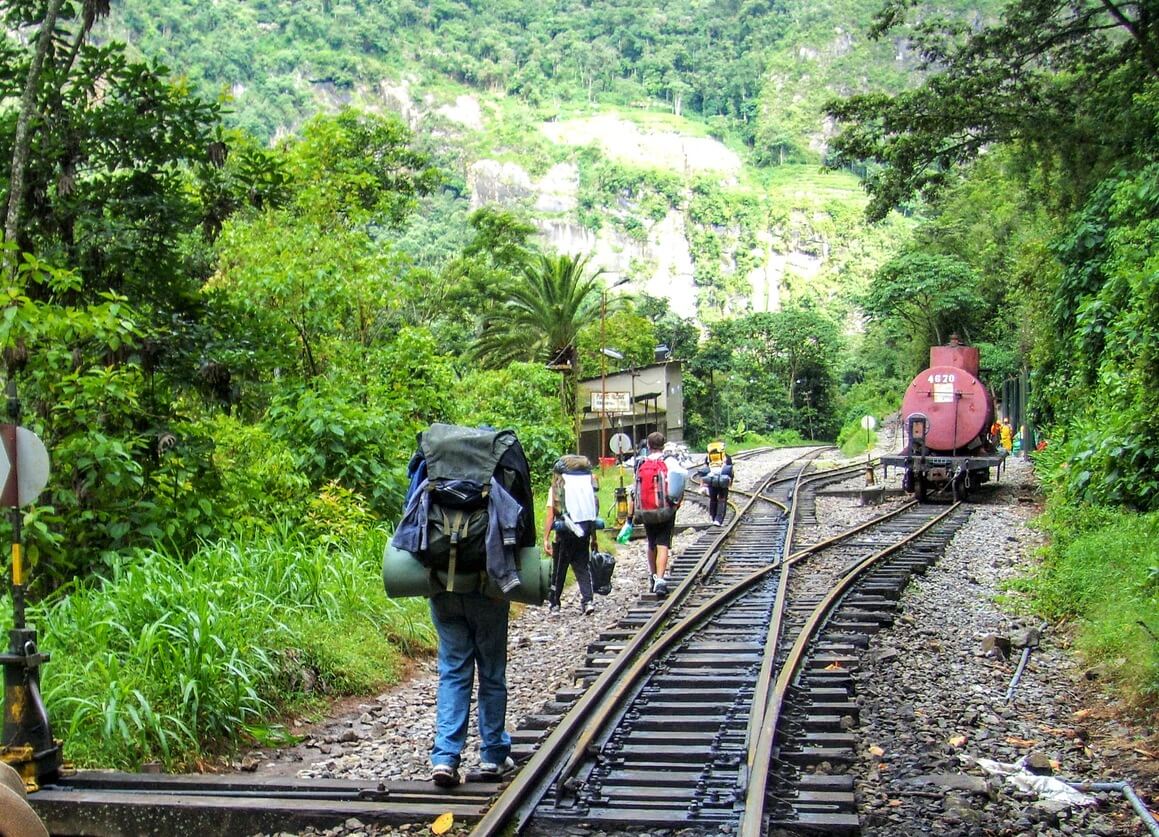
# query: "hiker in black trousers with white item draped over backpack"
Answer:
x=573 y=506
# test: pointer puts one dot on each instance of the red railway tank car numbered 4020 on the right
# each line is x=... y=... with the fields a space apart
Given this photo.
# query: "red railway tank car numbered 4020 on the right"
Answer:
x=947 y=413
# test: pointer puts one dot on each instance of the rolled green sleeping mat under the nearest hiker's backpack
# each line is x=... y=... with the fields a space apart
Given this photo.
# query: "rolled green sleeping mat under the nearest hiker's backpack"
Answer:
x=405 y=577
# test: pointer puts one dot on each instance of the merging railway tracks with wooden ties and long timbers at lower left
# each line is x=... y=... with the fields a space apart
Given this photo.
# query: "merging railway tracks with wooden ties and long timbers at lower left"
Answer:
x=710 y=709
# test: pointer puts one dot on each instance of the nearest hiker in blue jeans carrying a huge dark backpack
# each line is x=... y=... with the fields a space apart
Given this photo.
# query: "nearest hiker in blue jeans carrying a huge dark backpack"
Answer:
x=469 y=513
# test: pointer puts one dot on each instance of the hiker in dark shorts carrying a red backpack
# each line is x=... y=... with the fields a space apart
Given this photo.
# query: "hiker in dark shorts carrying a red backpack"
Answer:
x=658 y=494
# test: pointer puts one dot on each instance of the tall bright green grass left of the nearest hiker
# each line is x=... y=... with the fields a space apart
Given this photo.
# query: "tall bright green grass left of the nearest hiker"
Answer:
x=167 y=659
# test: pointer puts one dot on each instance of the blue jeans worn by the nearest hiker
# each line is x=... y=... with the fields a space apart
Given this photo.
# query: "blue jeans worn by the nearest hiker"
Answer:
x=472 y=635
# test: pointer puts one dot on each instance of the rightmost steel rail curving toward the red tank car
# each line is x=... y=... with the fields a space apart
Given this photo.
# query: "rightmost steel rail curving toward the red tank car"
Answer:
x=752 y=818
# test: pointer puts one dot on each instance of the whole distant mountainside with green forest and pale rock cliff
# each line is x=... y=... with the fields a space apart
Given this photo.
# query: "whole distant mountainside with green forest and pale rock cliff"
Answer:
x=666 y=187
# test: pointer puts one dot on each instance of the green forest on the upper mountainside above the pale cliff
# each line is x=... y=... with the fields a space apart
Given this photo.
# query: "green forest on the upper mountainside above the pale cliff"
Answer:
x=276 y=60
